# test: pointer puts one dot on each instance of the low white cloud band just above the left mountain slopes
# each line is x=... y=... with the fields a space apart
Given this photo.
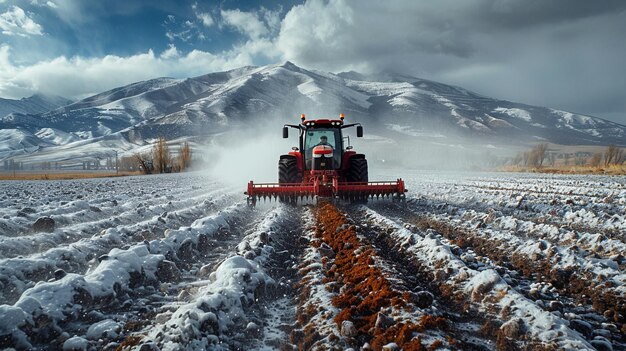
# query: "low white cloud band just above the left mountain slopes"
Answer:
x=79 y=77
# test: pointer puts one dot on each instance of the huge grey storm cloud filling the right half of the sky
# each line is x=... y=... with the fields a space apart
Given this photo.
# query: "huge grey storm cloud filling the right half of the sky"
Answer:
x=563 y=54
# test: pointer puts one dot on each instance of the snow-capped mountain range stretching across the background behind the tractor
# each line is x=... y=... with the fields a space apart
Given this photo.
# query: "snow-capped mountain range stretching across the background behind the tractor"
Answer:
x=392 y=107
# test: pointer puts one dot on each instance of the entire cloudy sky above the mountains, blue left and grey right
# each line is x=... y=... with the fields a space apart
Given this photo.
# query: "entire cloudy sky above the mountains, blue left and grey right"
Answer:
x=567 y=54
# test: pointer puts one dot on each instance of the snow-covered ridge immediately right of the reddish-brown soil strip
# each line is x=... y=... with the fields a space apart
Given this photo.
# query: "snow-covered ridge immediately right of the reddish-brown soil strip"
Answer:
x=518 y=323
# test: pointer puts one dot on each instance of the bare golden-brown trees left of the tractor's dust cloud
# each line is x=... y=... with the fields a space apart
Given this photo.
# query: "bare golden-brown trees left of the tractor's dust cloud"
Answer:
x=161 y=160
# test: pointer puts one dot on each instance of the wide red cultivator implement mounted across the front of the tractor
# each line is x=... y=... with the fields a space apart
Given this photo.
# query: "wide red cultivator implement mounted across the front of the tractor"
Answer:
x=349 y=191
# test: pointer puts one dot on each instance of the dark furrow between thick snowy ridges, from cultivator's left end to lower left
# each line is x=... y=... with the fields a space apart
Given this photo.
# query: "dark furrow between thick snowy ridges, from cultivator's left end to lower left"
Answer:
x=134 y=309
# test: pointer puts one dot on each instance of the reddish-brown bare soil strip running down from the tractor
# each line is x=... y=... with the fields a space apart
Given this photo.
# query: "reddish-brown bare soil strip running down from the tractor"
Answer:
x=366 y=291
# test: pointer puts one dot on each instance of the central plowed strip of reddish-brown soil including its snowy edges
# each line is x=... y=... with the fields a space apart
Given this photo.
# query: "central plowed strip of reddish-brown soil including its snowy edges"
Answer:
x=351 y=296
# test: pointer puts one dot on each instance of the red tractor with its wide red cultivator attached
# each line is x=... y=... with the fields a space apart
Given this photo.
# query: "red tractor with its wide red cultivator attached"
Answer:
x=323 y=167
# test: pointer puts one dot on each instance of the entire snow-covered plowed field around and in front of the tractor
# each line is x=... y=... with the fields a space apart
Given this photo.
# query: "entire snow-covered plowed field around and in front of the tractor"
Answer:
x=471 y=261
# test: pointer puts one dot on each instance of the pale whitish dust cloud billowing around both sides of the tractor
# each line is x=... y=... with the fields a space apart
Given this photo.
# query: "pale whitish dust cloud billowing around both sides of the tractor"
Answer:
x=248 y=152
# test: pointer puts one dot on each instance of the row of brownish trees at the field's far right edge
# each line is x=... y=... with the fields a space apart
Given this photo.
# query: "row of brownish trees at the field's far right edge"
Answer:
x=539 y=154
